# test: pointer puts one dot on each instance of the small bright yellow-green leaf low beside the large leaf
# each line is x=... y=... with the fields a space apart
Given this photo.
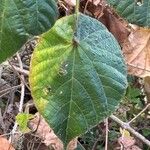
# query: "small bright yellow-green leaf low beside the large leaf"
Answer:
x=22 y=120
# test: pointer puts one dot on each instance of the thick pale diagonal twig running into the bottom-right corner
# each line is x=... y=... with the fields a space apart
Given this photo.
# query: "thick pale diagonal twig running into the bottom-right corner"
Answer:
x=131 y=130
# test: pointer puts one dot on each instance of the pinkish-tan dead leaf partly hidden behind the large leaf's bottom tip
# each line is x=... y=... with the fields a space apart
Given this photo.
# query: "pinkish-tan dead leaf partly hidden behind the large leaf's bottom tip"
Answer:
x=44 y=131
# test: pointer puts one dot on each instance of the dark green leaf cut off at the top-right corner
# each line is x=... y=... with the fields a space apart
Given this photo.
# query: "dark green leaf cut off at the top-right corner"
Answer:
x=134 y=11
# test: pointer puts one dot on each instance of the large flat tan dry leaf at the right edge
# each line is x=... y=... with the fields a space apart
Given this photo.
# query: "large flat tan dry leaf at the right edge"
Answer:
x=137 y=52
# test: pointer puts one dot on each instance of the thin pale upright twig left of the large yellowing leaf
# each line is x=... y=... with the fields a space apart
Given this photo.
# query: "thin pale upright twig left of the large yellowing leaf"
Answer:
x=21 y=97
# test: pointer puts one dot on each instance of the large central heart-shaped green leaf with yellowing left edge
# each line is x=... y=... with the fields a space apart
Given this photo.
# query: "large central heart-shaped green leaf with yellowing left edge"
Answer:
x=77 y=78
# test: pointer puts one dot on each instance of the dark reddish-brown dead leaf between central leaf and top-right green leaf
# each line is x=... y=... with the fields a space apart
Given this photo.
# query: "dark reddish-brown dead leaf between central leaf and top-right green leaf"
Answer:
x=102 y=12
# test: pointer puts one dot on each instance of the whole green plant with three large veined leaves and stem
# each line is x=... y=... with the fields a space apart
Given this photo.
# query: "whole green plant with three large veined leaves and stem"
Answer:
x=78 y=73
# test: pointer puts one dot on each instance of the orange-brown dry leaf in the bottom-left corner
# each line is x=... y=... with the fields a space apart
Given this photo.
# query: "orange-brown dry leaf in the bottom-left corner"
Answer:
x=5 y=145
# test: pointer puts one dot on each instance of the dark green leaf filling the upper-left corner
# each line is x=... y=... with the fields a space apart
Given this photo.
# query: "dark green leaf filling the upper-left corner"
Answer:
x=21 y=19
